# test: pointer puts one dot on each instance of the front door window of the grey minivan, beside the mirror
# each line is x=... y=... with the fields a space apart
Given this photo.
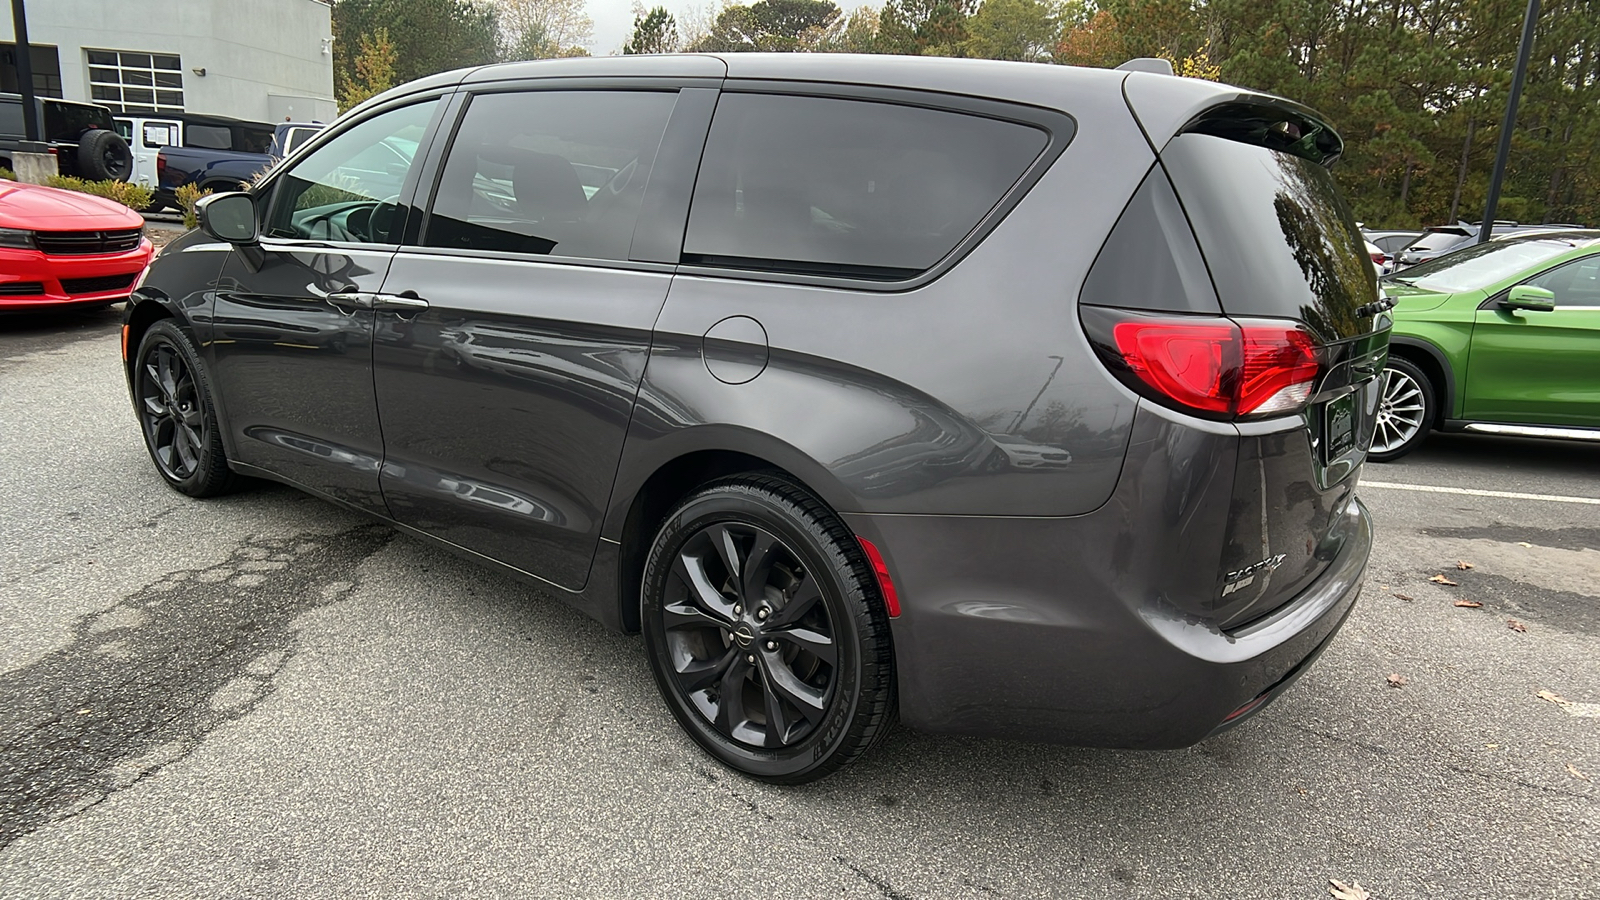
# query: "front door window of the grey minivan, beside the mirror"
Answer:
x=350 y=188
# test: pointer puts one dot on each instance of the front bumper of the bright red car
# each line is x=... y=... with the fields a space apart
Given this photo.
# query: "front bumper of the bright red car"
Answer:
x=34 y=281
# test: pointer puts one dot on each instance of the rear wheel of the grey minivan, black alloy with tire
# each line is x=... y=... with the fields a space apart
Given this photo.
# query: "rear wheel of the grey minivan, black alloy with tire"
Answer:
x=767 y=633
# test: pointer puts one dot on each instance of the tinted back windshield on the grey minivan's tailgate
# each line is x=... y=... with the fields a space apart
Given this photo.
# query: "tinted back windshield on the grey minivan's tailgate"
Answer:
x=1276 y=233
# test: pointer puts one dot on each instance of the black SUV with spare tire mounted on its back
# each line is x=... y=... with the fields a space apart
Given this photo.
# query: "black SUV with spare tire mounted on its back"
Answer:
x=81 y=135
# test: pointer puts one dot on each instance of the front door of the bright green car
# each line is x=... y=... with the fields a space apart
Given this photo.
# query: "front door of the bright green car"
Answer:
x=1542 y=368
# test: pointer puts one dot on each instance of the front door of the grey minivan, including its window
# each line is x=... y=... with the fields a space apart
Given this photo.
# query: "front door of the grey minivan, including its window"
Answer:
x=294 y=326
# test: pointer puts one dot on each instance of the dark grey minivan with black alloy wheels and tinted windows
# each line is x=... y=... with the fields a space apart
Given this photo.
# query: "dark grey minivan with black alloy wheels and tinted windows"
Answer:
x=1009 y=400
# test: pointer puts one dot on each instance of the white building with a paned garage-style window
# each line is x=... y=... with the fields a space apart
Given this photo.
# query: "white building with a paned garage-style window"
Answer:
x=258 y=60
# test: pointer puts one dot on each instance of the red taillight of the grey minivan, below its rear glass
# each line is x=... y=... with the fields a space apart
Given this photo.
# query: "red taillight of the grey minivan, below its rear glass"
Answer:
x=1220 y=366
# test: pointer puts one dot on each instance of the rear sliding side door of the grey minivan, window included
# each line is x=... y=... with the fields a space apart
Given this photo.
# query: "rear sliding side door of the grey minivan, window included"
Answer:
x=506 y=390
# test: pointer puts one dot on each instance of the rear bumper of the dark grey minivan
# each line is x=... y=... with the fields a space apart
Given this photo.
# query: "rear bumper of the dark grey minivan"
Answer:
x=1018 y=629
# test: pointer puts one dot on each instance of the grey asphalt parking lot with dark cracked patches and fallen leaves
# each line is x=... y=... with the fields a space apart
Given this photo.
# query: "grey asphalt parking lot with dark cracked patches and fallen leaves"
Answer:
x=268 y=697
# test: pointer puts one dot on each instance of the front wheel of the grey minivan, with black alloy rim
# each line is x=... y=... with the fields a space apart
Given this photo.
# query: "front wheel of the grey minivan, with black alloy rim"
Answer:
x=174 y=400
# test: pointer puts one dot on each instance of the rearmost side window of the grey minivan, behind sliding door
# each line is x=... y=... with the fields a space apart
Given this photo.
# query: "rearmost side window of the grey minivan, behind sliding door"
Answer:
x=847 y=188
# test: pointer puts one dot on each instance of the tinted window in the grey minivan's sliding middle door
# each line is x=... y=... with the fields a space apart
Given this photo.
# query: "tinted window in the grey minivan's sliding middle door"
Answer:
x=550 y=174
